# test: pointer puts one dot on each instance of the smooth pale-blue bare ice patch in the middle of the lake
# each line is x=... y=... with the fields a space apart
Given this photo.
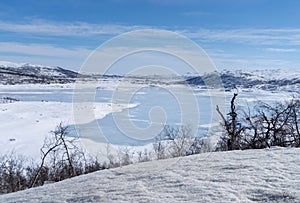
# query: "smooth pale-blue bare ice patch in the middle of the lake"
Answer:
x=143 y=117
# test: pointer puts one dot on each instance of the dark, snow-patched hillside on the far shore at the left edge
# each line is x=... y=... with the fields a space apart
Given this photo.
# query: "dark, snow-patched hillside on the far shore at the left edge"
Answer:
x=25 y=73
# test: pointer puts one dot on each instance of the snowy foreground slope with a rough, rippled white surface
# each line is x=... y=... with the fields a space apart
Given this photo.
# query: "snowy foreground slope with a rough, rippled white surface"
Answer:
x=270 y=175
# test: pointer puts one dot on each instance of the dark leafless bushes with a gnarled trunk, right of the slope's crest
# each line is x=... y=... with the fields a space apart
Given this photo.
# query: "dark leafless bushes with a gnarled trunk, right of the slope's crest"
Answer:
x=263 y=126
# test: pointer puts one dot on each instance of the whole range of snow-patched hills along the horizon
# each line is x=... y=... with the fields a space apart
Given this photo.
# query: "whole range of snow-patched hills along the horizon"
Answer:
x=24 y=73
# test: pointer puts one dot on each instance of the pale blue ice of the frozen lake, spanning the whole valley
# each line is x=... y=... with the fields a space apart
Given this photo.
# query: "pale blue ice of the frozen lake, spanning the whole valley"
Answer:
x=147 y=99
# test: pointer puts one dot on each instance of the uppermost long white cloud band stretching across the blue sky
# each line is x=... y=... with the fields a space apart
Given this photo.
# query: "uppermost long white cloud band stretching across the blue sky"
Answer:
x=83 y=29
